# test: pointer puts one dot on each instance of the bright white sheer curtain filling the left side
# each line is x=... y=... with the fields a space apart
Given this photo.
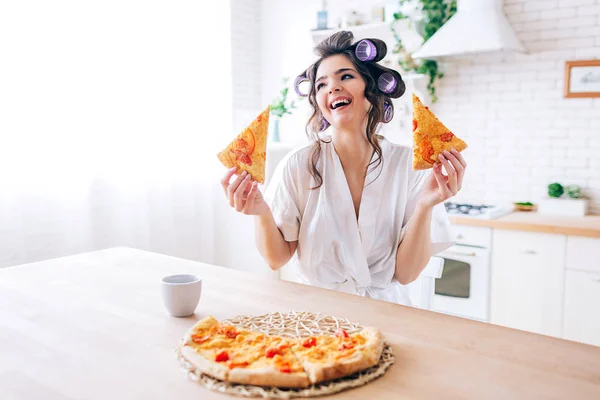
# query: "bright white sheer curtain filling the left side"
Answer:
x=111 y=115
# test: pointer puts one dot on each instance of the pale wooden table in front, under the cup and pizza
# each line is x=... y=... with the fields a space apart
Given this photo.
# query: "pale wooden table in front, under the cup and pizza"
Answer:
x=92 y=326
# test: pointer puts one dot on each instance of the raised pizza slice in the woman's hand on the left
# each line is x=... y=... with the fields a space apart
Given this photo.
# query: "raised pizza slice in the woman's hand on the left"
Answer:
x=247 y=151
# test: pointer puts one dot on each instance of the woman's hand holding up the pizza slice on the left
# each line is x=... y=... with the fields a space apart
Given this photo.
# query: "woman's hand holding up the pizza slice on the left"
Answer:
x=243 y=194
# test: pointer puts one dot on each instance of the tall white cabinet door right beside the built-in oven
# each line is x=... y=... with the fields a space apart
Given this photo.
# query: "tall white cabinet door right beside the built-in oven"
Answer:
x=528 y=281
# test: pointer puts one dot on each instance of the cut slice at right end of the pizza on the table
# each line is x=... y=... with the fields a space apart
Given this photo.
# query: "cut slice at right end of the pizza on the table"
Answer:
x=328 y=357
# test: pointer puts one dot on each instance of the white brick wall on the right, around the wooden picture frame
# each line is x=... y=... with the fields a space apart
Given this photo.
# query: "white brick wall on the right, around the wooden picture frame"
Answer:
x=537 y=136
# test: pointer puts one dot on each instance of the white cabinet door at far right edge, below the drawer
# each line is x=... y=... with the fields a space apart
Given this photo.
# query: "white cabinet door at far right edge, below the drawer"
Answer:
x=582 y=304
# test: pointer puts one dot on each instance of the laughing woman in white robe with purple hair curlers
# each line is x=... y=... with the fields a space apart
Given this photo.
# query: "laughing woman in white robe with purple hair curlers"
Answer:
x=349 y=207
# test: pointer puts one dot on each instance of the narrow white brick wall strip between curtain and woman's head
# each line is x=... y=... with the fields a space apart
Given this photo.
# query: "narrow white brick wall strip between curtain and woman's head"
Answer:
x=246 y=59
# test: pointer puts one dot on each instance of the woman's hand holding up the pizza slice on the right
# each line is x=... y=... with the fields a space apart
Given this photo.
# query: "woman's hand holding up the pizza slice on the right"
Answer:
x=440 y=187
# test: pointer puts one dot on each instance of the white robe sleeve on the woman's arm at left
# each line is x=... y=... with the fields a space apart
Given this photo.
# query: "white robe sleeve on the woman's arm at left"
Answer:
x=283 y=198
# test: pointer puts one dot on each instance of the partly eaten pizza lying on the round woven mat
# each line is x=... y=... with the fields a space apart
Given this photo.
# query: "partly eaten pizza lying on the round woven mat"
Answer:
x=236 y=355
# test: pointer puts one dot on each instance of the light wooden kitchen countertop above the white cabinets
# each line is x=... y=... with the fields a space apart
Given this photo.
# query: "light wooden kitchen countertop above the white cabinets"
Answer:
x=588 y=226
